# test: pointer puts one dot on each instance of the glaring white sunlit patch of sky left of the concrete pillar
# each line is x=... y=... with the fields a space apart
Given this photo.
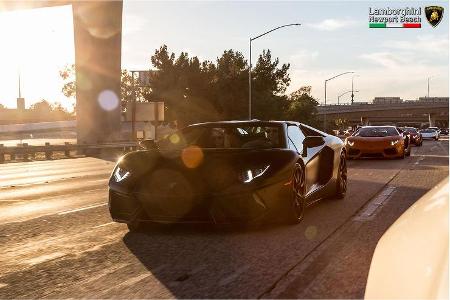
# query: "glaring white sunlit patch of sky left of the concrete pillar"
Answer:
x=37 y=44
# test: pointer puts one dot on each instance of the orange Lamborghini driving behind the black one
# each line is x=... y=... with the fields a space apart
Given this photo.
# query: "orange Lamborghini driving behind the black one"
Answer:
x=378 y=141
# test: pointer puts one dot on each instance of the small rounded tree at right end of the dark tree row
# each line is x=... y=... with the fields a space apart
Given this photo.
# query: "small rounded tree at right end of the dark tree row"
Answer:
x=302 y=107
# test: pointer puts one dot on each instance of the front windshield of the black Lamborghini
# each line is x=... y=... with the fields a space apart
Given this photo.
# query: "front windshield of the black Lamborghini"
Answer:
x=226 y=136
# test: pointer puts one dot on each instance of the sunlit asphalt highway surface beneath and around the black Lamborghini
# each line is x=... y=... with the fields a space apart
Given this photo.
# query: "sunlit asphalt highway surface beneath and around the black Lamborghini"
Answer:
x=57 y=239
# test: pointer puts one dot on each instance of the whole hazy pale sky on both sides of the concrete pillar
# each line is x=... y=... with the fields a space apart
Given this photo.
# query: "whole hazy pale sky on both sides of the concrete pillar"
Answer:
x=334 y=37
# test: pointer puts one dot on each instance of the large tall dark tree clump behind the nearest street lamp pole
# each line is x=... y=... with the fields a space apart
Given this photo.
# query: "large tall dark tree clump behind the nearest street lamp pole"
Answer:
x=203 y=91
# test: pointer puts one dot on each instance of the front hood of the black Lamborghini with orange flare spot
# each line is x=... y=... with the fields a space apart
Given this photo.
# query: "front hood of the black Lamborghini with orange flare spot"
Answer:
x=215 y=169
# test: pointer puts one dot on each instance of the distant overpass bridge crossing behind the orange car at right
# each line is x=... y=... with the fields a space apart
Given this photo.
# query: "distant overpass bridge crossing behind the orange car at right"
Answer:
x=432 y=111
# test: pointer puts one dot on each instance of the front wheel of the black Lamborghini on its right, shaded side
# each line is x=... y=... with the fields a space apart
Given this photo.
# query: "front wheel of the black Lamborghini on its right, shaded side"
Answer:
x=296 y=206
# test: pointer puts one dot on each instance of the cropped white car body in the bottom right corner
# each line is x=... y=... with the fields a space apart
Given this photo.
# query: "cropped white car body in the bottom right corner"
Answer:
x=411 y=258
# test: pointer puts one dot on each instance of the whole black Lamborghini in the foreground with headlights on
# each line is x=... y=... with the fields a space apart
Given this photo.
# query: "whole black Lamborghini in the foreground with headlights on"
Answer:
x=228 y=172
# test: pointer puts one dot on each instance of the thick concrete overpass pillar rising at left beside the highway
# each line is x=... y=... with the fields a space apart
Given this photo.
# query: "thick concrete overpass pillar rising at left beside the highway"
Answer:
x=98 y=37
